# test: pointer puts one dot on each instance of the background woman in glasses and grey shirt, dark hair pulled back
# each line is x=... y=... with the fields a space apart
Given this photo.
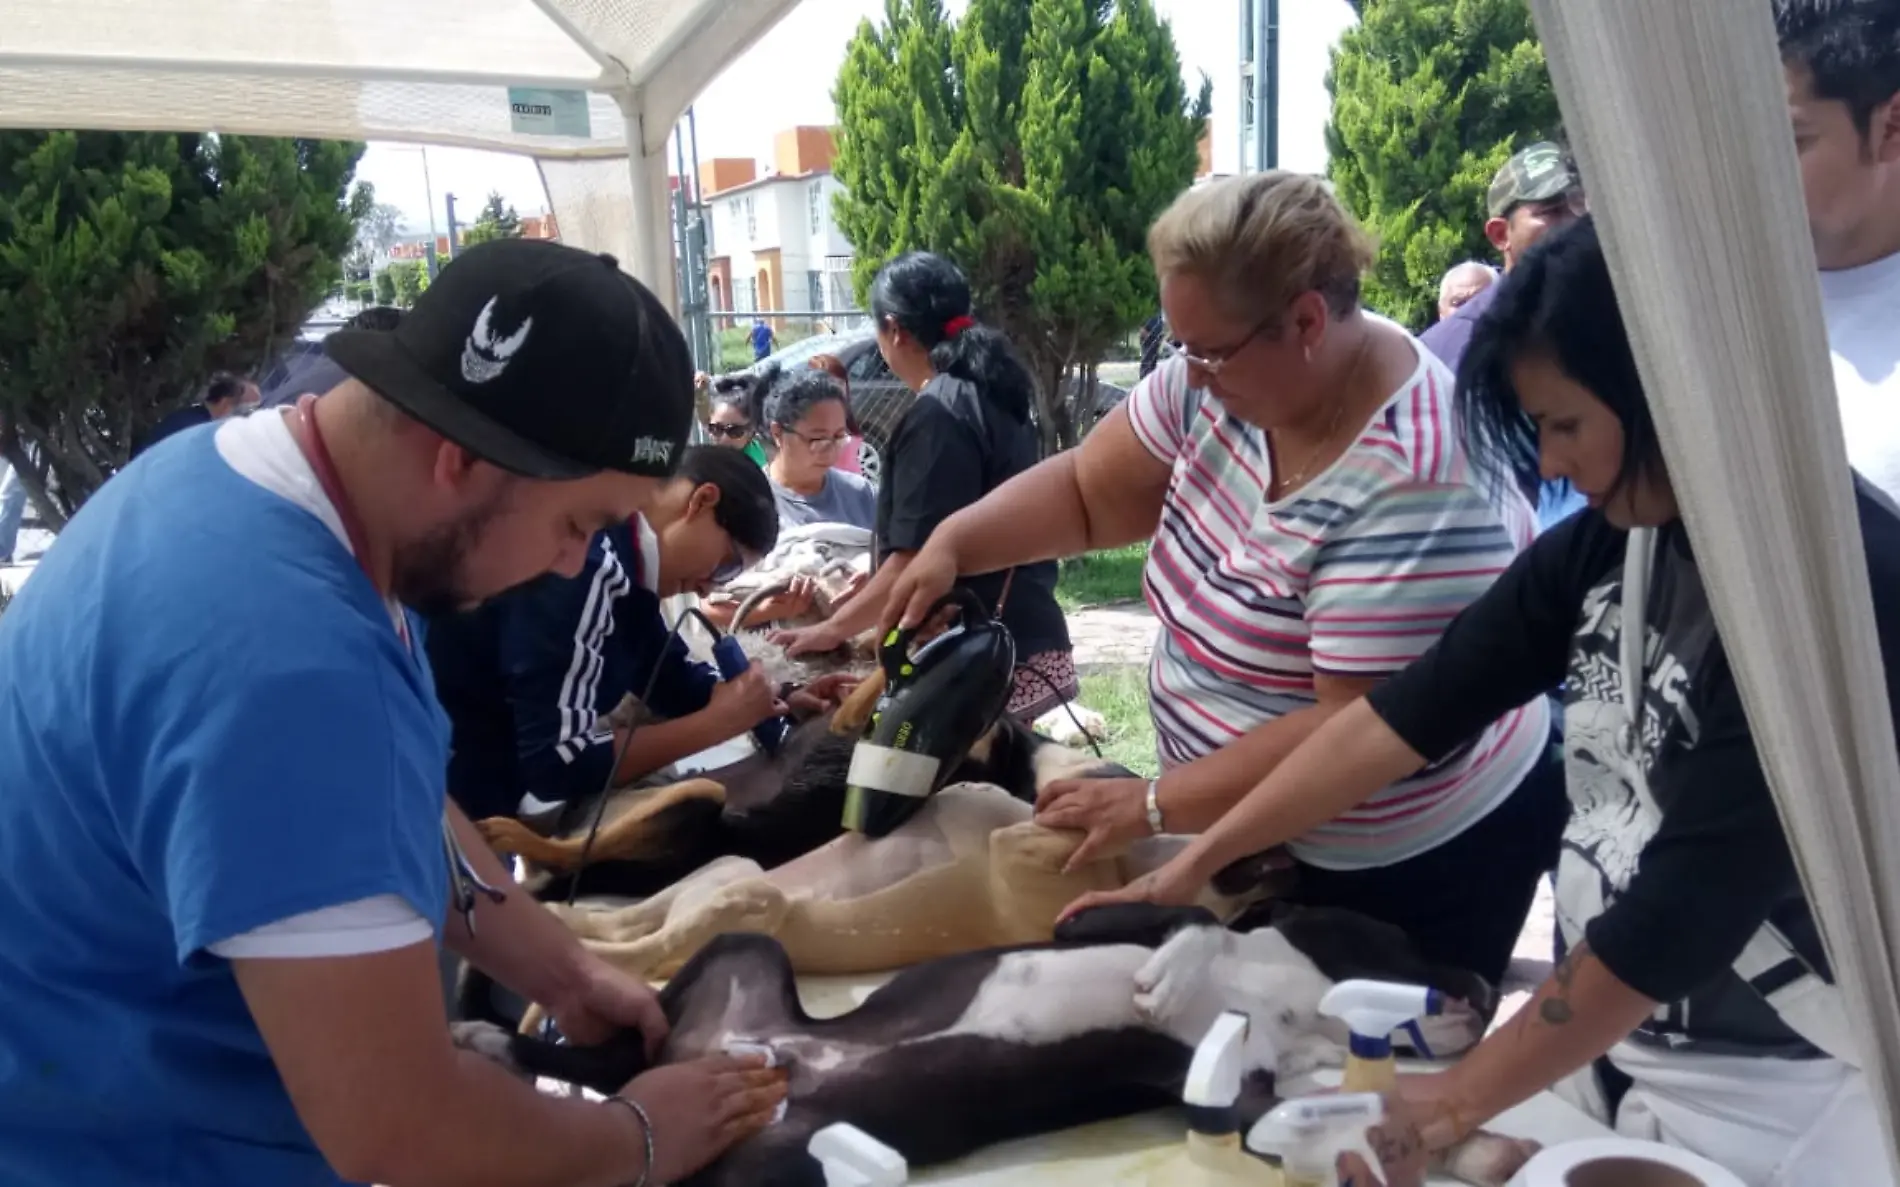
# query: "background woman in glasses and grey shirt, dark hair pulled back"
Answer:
x=808 y=423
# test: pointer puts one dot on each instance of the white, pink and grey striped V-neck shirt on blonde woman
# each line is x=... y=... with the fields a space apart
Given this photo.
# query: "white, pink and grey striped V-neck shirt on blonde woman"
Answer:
x=1354 y=575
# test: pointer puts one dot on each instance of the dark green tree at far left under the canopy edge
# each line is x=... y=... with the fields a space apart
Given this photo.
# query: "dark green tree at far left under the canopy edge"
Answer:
x=134 y=265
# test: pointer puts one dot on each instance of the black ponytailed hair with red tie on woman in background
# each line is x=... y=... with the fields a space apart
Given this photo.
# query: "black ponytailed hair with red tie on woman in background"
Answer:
x=924 y=293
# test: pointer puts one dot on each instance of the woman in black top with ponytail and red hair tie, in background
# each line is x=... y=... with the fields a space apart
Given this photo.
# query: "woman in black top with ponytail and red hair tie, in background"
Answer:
x=966 y=434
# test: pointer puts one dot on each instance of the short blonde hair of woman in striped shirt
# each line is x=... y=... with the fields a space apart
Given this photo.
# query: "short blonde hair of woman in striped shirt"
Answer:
x=1263 y=240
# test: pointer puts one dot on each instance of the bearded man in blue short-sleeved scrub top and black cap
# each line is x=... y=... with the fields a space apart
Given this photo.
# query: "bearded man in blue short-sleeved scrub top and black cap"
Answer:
x=225 y=835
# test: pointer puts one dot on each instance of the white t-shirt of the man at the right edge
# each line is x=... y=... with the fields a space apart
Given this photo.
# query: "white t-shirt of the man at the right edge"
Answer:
x=1863 y=311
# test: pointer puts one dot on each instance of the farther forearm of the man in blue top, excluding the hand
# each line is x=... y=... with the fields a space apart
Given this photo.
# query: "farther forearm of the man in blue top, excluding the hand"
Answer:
x=516 y=941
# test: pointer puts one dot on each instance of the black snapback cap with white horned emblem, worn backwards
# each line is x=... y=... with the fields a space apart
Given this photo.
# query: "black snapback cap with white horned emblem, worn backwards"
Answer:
x=544 y=360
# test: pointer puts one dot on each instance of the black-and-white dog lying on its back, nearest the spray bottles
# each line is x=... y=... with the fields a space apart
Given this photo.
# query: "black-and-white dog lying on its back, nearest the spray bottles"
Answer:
x=1006 y=1044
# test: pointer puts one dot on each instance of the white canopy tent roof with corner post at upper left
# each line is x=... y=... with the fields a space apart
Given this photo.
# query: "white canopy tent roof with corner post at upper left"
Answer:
x=590 y=88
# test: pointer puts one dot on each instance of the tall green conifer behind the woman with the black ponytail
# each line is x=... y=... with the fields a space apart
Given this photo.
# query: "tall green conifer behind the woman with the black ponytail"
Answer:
x=1033 y=143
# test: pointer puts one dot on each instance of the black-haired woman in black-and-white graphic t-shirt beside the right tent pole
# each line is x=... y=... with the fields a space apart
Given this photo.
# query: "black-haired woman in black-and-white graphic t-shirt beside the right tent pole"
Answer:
x=1696 y=1004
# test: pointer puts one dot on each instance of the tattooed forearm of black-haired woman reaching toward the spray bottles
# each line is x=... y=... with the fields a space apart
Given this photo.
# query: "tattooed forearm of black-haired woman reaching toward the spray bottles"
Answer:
x=1578 y=1015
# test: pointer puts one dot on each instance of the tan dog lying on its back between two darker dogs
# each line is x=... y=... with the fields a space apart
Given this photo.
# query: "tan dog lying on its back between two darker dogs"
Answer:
x=970 y=871
